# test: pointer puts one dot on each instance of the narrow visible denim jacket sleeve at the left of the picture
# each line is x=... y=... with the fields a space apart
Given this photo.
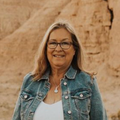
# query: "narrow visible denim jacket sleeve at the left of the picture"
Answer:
x=17 y=110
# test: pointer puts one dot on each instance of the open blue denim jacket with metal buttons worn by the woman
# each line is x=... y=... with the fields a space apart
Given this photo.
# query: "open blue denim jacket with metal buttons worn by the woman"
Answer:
x=81 y=99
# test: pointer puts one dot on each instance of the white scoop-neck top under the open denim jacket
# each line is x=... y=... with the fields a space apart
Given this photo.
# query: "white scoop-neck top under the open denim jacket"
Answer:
x=49 y=111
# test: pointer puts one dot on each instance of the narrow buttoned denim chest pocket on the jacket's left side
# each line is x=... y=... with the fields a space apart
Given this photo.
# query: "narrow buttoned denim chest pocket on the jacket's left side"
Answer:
x=26 y=101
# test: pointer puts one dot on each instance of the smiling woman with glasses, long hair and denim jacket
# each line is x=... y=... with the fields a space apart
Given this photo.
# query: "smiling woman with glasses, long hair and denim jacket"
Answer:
x=59 y=88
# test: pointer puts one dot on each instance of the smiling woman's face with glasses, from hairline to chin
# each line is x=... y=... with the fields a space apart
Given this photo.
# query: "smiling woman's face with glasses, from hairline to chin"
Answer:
x=60 y=57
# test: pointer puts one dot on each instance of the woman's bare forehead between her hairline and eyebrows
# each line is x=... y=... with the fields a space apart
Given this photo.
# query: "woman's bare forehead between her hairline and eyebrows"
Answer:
x=60 y=33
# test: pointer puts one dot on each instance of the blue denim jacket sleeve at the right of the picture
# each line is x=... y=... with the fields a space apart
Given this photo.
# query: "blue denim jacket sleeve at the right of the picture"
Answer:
x=97 y=111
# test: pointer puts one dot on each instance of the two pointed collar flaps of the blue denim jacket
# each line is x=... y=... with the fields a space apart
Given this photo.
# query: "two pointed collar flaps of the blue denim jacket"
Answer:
x=70 y=74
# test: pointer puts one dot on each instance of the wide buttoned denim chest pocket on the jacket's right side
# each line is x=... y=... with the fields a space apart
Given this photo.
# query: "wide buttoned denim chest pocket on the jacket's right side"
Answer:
x=81 y=98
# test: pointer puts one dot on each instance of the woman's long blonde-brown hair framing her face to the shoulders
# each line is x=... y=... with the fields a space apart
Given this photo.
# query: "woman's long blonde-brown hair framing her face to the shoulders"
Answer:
x=41 y=62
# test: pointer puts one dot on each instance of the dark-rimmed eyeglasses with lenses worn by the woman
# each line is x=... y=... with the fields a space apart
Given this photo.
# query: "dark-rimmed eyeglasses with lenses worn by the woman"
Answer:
x=63 y=45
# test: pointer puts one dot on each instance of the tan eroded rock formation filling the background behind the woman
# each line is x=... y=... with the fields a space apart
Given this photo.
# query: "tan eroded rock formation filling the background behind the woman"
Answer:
x=23 y=24
